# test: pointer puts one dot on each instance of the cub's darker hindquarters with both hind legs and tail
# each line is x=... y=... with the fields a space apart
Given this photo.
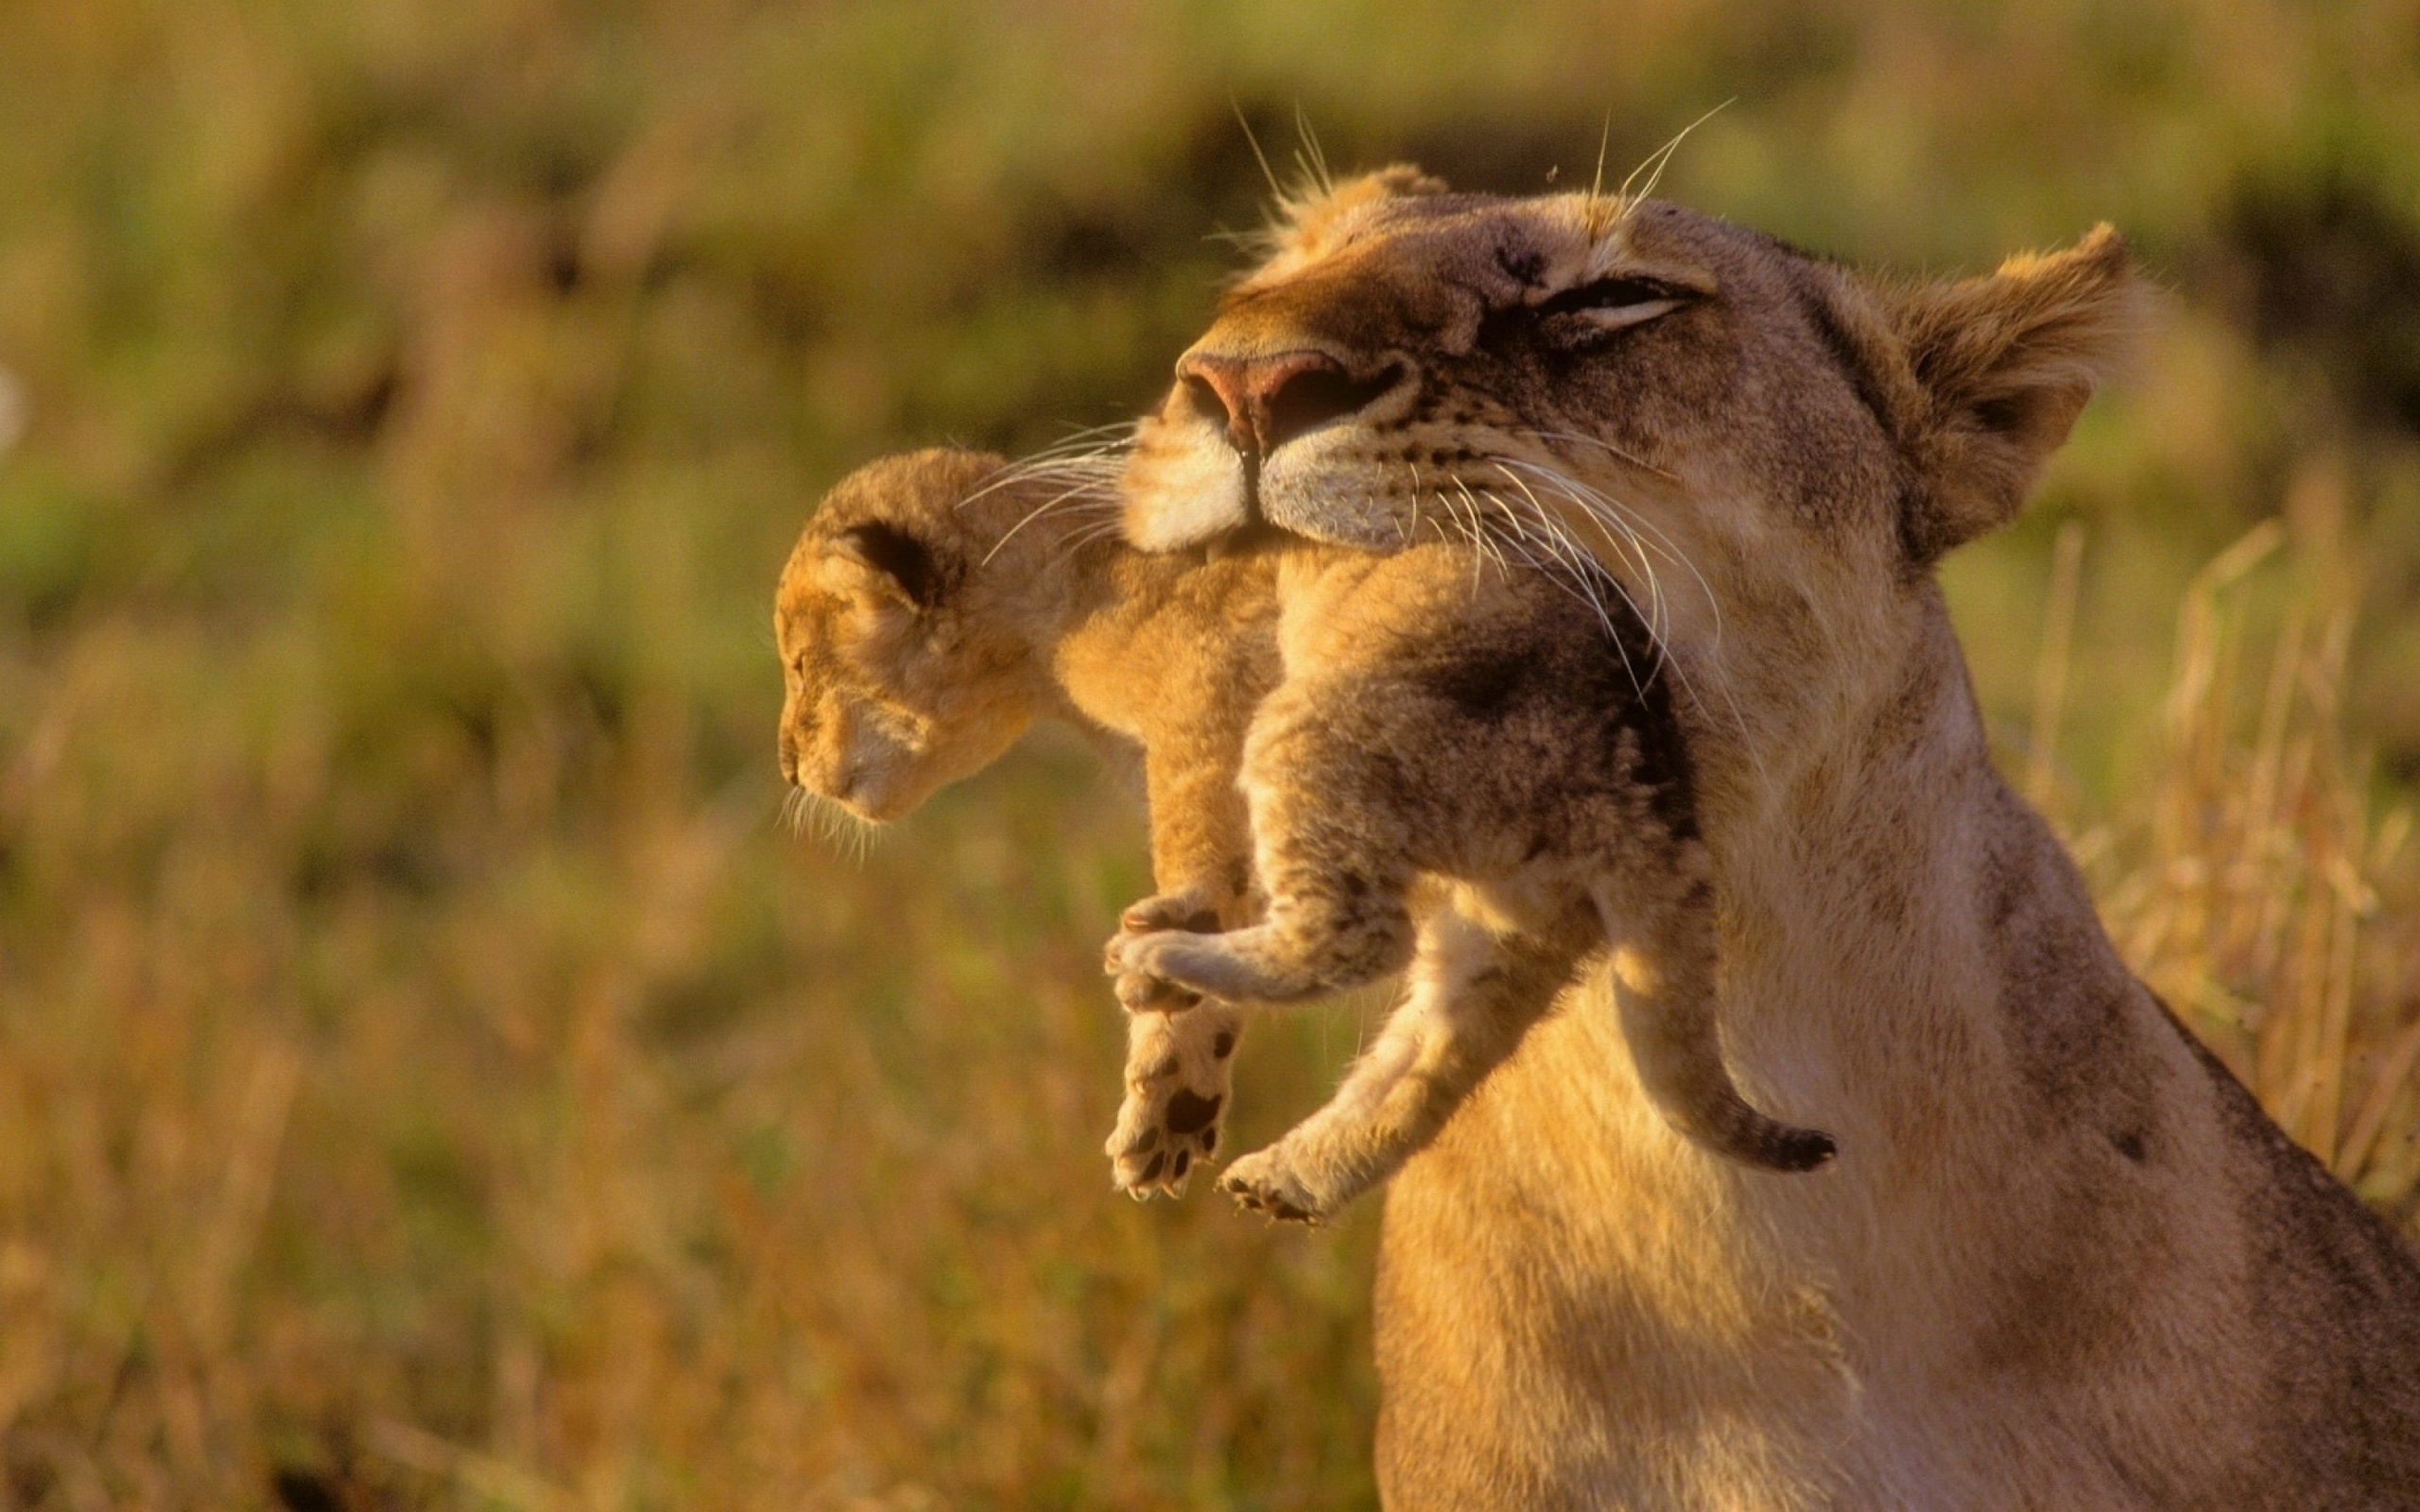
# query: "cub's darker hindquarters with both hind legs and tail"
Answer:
x=1465 y=773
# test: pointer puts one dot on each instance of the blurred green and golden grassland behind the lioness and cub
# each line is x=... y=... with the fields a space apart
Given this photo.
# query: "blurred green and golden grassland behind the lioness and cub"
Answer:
x=430 y=1073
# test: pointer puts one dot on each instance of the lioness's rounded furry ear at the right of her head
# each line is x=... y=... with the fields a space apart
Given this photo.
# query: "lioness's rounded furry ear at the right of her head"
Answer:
x=2003 y=369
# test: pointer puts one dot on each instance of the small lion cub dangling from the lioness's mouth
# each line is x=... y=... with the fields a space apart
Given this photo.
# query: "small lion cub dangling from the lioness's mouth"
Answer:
x=1427 y=725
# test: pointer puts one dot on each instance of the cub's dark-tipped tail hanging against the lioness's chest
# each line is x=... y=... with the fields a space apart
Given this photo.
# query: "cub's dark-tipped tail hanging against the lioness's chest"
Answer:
x=1664 y=983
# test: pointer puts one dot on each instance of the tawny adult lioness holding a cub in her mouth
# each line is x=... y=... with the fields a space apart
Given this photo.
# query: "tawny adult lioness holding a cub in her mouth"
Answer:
x=2063 y=1259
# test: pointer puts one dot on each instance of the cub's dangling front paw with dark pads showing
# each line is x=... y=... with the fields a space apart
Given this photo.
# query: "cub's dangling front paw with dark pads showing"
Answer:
x=1177 y=1080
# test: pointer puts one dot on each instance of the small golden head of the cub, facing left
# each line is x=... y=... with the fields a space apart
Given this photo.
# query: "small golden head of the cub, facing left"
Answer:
x=901 y=659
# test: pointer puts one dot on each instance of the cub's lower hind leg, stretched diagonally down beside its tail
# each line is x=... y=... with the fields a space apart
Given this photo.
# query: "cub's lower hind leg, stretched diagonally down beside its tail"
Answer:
x=1473 y=996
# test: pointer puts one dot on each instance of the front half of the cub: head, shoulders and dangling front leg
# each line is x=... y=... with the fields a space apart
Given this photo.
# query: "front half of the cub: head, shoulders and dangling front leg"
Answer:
x=943 y=601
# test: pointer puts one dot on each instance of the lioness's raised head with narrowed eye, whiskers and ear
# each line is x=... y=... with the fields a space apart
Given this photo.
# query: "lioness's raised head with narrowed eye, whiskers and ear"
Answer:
x=1746 y=437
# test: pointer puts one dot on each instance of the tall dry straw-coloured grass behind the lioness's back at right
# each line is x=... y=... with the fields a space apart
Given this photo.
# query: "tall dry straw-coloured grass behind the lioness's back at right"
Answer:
x=2261 y=884
